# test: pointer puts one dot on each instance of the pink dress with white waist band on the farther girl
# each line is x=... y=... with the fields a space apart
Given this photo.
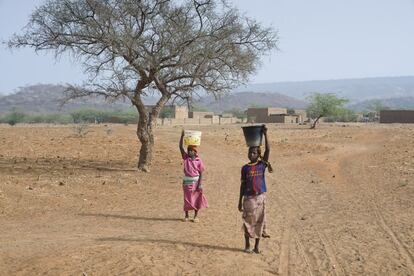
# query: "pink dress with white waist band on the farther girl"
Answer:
x=194 y=198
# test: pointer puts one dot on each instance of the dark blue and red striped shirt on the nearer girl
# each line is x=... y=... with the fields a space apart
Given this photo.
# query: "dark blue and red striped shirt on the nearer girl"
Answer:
x=254 y=178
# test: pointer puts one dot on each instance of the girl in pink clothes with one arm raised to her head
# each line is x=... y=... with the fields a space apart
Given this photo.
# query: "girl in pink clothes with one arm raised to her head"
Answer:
x=194 y=198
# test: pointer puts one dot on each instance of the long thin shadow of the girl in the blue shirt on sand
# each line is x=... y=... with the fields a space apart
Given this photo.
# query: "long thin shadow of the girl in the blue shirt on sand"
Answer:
x=171 y=242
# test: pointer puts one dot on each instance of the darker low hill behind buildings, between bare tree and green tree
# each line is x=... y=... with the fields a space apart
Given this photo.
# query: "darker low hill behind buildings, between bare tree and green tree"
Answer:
x=244 y=100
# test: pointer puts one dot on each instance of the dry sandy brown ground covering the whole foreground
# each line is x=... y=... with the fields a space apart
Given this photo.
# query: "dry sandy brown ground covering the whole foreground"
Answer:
x=340 y=202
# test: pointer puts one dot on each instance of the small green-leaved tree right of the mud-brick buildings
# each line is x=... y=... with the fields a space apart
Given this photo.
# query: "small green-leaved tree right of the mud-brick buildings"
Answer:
x=322 y=105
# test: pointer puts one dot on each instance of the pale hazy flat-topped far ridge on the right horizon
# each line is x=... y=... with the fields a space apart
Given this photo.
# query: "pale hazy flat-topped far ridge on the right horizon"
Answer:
x=352 y=89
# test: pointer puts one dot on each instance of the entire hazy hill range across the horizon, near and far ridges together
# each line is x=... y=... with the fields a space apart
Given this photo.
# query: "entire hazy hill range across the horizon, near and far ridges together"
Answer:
x=394 y=92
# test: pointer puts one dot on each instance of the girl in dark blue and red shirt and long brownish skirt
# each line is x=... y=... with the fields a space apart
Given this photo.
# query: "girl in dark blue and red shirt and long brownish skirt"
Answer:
x=252 y=200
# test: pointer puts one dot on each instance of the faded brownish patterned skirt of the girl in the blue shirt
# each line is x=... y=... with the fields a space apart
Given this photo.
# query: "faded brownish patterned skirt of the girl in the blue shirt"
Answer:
x=254 y=215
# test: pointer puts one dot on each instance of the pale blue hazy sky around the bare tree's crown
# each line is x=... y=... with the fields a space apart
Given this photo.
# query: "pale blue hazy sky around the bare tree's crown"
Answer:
x=318 y=40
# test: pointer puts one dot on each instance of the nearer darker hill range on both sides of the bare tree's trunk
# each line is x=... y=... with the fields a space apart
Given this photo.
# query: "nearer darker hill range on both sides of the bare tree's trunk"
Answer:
x=46 y=98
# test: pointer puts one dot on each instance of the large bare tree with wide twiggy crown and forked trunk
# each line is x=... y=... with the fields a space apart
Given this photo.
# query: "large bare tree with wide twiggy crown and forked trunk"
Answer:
x=171 y=48
